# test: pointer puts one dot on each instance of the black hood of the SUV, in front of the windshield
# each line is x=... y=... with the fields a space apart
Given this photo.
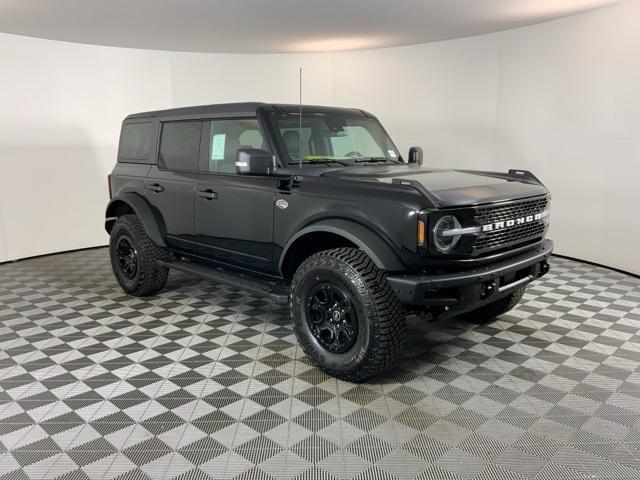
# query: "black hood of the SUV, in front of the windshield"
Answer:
x=448 y=188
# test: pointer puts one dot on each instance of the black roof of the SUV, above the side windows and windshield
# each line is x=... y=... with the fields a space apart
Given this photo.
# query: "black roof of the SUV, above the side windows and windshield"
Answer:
x=243 y=109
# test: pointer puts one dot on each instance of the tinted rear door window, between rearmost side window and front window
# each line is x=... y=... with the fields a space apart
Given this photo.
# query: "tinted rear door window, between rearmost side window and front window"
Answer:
x=179 y=145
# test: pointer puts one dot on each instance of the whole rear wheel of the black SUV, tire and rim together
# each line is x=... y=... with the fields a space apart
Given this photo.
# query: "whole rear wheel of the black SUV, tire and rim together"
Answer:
x=135 y=259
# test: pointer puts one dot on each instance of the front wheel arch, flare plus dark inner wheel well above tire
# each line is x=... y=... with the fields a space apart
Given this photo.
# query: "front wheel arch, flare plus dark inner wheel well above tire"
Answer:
x=348 y=233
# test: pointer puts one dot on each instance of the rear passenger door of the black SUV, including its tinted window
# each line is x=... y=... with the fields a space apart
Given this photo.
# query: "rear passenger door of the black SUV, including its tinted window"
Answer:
x=170 y=183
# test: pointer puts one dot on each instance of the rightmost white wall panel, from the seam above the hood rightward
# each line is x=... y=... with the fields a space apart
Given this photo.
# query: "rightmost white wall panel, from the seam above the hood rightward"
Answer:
x=569 y=109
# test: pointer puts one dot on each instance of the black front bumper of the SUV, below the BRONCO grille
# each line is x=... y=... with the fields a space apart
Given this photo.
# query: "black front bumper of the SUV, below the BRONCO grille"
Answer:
x=466 y=290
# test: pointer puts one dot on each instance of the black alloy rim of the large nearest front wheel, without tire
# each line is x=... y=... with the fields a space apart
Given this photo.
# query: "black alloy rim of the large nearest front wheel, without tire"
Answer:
x=331 y=317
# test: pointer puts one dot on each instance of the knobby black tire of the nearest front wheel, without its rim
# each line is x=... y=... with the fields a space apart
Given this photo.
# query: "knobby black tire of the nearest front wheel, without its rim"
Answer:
x=381 y=317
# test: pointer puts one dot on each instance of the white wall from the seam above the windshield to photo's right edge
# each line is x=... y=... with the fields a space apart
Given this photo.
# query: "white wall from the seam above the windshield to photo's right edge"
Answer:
x=560 y=98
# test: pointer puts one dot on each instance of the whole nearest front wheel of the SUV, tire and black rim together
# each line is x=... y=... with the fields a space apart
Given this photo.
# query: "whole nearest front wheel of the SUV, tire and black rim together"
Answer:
x=345 y=315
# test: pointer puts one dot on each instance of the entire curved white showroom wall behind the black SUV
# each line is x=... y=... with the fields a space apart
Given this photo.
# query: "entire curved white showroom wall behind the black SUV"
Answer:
x=559 y=98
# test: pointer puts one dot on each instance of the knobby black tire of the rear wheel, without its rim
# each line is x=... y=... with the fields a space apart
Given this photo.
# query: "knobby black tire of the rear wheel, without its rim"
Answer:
x=151 y=276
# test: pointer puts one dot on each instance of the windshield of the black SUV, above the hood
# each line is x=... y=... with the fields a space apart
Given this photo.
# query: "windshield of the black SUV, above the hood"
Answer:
x=334 y=138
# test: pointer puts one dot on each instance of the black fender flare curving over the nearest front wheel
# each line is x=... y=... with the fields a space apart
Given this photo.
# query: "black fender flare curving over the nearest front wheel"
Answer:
x=364 y=238
